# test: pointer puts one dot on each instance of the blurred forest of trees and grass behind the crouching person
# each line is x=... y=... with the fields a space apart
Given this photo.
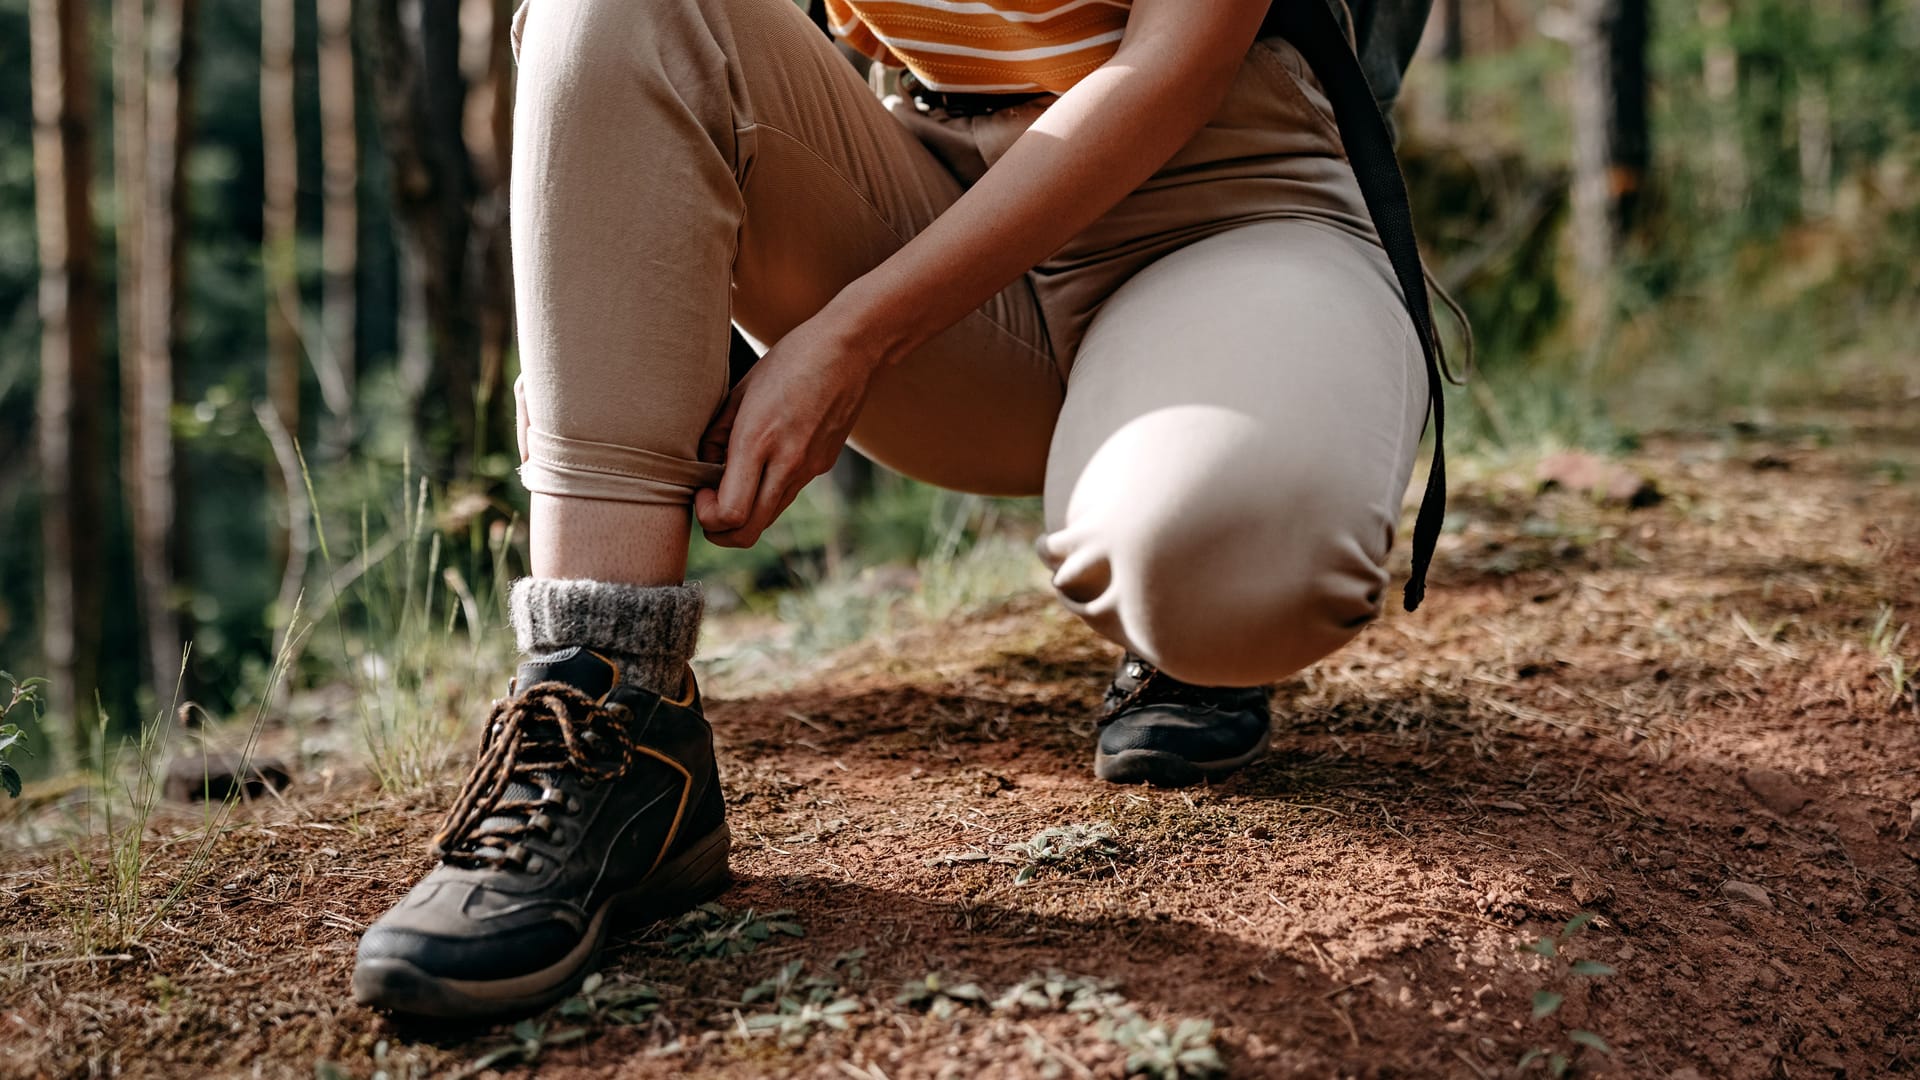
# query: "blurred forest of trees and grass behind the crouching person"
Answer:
x=256 y=312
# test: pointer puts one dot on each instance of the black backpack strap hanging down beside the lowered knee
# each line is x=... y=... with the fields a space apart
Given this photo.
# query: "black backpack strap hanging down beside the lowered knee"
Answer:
x=1316 y=32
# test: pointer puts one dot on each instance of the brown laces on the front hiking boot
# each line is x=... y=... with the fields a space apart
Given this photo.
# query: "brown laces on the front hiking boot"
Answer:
x=531 y=741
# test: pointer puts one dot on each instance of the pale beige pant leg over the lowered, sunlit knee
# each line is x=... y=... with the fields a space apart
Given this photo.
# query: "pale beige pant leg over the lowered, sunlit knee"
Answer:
x=1237 y=437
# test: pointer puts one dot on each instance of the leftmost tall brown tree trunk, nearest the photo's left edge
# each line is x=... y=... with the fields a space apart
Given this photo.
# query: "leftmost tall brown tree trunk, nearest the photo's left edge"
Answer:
x=70 y=364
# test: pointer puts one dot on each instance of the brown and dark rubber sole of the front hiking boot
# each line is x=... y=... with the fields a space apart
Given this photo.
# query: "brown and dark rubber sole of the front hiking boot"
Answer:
x=686 y=881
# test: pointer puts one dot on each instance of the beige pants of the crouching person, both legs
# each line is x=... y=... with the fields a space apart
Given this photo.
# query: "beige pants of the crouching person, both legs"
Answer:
x=1216 y=385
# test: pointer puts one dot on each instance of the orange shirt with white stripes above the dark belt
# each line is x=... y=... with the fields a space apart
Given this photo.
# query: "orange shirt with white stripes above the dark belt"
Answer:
x=986 y=47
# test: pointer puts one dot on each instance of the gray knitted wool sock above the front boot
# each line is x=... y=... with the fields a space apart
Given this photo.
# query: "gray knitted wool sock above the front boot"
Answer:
x=648 y=629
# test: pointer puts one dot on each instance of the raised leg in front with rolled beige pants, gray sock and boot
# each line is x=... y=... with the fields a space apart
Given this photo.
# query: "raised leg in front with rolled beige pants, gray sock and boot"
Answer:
x=658 y=189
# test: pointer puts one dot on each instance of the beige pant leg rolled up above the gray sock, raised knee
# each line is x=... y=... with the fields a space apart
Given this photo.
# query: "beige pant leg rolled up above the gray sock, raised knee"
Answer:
x=683 y=162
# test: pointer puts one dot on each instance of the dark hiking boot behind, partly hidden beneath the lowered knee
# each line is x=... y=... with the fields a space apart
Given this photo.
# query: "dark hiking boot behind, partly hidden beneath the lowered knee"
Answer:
x=1168 y=733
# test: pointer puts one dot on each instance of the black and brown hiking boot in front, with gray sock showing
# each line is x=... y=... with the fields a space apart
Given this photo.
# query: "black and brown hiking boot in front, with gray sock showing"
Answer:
x=590 y=800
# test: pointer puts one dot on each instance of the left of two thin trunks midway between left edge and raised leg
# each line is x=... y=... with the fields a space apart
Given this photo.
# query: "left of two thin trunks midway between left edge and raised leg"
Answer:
x=279 y=224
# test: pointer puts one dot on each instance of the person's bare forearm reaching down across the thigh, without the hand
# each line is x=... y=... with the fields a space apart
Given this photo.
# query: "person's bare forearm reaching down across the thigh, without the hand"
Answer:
x=1092 y=149
